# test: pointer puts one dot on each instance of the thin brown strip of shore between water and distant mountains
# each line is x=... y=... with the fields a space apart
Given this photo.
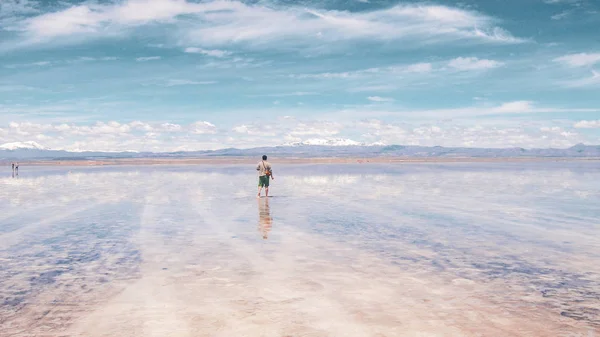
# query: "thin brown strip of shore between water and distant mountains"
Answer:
x=288 y=160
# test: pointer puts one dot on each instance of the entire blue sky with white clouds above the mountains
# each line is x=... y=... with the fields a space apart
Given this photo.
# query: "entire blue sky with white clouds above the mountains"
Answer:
x=176 y=75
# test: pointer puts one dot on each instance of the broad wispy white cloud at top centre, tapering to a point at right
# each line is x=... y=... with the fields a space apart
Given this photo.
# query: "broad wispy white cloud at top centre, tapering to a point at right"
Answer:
x=236 y=22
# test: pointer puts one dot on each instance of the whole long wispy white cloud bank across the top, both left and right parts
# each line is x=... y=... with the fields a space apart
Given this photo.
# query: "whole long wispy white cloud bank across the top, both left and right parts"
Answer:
x=224 y=22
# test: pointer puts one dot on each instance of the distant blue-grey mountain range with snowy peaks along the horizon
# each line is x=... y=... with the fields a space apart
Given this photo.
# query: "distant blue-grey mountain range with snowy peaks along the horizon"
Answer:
x=34 y=151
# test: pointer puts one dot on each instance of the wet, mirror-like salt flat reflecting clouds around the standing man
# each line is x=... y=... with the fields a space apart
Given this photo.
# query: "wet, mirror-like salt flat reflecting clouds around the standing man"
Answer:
x=339 y=250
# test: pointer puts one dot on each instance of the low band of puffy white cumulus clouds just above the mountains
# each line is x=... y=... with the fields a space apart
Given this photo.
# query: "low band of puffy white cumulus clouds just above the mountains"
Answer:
x=203 y=135
